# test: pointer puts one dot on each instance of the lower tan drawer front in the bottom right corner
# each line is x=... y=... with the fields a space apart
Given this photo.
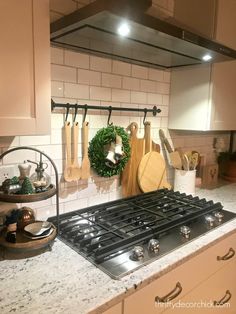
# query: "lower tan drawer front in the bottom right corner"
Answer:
x=220 y=286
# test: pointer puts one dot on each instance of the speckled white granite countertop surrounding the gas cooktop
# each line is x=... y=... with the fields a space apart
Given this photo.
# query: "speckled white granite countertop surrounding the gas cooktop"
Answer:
x=62 y=281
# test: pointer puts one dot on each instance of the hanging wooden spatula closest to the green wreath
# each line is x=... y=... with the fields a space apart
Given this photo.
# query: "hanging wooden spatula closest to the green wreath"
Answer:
x=85 y=165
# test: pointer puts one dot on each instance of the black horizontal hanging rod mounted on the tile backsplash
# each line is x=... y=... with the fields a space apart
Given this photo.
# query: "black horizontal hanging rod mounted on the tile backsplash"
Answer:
x=54 y=105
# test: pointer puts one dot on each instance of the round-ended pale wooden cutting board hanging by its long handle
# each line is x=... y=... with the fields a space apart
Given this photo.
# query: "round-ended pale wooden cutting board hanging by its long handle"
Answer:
x=152 y=167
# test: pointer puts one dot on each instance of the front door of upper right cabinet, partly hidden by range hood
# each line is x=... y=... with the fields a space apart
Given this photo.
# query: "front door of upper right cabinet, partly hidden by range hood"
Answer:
x=224 y=74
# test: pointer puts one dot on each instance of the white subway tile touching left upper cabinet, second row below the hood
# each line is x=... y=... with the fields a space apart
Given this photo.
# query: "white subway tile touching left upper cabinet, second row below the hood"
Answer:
x=63 y=73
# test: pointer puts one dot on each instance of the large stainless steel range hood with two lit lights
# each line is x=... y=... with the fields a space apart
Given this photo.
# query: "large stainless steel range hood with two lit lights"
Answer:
x=151 y=41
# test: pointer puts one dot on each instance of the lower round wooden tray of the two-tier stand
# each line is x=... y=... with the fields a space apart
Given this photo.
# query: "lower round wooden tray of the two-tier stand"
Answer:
x=24 y=244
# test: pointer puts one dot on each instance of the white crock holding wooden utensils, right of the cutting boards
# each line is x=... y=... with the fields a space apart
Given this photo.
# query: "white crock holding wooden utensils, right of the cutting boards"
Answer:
x=185 y=181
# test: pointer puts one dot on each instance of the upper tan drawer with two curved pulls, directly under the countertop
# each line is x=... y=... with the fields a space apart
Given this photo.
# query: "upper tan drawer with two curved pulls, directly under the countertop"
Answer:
x=188 y=275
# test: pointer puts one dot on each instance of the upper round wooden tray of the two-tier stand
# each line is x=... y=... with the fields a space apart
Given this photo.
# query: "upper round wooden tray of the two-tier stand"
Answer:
x=28 y=198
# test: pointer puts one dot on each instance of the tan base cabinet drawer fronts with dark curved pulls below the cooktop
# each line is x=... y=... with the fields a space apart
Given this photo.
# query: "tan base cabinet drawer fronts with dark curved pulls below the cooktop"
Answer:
x=204 y=277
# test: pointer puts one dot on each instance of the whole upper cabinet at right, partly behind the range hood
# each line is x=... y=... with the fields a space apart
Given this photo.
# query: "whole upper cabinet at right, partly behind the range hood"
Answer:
x=204 y=97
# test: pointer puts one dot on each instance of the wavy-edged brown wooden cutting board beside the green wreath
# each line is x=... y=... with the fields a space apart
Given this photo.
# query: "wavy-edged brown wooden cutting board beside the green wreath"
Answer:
x=129 y=181
